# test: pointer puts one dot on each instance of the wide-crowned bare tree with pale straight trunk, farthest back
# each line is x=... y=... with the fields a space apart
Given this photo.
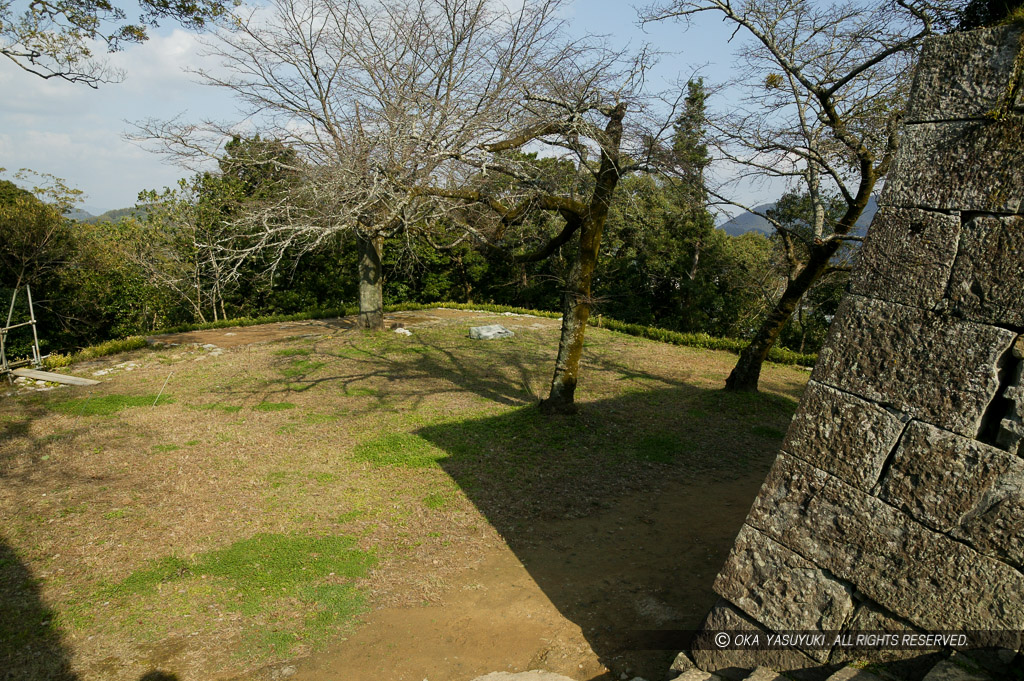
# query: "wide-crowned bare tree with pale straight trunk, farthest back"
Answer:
x=377 y=98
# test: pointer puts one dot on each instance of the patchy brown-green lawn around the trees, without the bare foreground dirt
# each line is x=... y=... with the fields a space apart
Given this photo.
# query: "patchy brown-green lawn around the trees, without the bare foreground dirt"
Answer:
x=388 y=462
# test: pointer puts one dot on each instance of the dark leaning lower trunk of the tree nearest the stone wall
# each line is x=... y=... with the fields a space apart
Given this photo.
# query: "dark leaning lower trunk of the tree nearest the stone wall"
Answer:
x=748 y=371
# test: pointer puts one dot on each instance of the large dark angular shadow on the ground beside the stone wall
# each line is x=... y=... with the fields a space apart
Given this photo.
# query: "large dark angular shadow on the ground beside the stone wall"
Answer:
x=625 y=514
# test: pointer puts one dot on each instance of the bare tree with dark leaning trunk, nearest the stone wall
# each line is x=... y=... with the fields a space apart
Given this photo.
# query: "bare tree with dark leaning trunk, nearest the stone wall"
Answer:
x=826 y=87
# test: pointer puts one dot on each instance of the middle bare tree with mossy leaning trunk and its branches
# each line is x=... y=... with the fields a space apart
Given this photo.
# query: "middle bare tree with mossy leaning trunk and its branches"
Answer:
x=579 y=114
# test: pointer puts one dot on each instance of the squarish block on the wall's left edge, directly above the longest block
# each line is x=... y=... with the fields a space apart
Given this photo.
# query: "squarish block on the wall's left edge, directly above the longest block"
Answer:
x=843 y=435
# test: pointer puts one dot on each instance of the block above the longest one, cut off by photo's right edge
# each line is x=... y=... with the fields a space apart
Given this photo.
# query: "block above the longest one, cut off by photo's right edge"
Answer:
x=962 y=488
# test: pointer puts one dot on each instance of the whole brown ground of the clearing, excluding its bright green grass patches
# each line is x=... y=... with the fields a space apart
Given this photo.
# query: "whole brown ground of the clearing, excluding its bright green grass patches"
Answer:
x=591 y=561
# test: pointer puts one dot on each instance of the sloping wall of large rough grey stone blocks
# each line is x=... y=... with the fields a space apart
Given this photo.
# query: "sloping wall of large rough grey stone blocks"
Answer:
x=898 y=501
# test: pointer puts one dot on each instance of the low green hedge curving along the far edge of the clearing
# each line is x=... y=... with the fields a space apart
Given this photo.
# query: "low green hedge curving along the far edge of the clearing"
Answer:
x=777 y=355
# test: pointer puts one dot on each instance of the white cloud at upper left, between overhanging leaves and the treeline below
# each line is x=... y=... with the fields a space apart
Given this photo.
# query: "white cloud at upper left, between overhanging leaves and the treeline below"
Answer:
x=78 y=134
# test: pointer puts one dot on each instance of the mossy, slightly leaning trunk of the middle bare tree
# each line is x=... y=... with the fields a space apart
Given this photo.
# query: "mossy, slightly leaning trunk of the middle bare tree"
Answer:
x=576 y=307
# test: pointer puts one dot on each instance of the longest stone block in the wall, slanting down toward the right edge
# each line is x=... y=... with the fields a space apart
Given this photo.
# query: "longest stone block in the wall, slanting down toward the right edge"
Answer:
x=919 y=575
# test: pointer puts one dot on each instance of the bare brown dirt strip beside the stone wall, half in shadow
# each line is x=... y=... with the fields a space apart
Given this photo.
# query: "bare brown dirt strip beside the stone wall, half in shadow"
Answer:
x=571 y=597
